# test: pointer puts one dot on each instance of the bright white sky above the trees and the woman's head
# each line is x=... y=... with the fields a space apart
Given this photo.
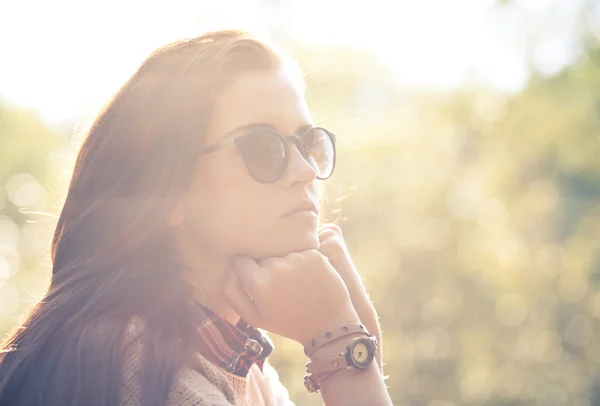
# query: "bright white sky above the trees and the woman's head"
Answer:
x=64 y=58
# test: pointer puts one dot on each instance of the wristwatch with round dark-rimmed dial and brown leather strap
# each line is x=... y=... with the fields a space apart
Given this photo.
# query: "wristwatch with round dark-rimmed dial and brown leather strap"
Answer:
x=359 y=354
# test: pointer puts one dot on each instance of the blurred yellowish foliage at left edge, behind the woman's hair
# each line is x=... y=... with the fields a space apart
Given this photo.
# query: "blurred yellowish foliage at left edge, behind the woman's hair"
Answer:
x=30 y=165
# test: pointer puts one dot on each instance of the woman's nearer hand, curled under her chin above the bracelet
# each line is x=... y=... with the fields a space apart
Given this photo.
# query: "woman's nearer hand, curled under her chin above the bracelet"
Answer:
x=296 y=296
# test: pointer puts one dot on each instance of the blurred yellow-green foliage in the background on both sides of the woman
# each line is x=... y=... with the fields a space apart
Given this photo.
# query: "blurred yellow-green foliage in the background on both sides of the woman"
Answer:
x=474 y=217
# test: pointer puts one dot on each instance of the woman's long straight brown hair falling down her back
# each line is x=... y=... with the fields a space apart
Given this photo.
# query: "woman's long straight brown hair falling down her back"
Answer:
x=113 y=253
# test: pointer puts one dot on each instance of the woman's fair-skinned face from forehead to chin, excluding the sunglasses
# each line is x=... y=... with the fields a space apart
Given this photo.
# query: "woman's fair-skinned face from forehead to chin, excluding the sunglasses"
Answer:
x=230 y=212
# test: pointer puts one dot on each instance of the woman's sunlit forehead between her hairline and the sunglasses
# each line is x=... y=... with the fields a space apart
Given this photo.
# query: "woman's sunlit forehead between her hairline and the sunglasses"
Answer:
x=259 y=97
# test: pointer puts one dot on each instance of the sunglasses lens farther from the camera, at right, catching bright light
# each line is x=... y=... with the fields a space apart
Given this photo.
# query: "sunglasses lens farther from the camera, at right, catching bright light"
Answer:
x=318 y=149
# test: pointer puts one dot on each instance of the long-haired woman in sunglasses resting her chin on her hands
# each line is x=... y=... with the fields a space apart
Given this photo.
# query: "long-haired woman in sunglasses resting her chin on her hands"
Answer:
x=191 y=221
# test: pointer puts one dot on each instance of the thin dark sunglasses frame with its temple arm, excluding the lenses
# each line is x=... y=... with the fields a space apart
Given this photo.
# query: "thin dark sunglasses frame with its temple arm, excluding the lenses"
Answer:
x=285 y=140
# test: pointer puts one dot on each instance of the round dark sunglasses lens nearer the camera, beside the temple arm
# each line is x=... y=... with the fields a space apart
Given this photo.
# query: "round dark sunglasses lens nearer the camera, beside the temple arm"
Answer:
x=264 y=155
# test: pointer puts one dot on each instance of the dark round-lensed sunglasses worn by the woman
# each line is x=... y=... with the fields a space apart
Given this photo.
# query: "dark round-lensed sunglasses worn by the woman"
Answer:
x=266 y=152
